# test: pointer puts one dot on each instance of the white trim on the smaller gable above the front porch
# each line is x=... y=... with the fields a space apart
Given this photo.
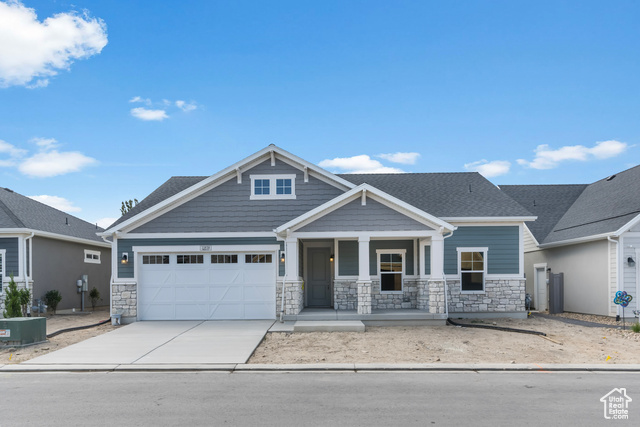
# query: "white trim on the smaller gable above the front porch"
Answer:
x=365 y=190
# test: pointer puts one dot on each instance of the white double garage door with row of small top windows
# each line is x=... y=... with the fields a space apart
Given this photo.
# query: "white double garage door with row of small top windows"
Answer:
x=206 y=286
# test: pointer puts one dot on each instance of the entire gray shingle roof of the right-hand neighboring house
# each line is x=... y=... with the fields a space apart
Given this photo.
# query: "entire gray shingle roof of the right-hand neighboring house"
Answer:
x=584 y=210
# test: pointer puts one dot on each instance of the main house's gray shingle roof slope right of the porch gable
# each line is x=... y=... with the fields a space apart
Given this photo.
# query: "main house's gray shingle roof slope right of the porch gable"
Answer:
x=445 y=195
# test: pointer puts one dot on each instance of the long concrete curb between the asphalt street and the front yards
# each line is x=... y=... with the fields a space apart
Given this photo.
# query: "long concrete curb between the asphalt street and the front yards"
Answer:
x=322 y=367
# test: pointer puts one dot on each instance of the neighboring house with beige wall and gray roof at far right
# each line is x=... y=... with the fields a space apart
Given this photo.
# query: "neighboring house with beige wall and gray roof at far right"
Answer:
x=591 y=233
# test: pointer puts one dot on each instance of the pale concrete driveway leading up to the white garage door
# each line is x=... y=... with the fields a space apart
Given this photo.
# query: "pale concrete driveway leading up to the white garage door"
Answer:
x=165 y=342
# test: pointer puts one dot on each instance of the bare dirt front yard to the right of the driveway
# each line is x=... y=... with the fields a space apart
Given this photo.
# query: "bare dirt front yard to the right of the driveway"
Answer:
x=449 y=344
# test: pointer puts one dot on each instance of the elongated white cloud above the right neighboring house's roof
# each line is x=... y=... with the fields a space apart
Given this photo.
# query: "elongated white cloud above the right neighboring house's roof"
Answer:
x=547 y=158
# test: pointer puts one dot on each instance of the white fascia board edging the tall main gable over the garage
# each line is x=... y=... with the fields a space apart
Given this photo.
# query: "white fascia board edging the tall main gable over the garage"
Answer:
x=225 y=173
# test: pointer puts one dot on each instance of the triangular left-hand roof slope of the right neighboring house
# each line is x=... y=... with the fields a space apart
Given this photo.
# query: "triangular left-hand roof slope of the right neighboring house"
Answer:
x=548 y=202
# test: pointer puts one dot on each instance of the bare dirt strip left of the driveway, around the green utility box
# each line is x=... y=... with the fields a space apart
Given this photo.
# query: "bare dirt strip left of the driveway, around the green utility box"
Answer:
x=56 y=322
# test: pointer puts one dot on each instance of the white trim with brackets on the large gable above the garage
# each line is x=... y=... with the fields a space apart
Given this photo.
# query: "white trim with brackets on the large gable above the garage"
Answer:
x=271 y=152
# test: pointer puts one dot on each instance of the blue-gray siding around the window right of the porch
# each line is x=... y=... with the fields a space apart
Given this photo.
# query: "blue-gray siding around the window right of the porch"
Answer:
x=502 y=241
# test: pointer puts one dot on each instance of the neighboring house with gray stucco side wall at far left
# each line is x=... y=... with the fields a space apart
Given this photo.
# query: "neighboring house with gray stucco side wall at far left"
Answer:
x=51 y=249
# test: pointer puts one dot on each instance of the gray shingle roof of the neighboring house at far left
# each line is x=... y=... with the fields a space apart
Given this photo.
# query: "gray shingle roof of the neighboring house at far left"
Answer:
x=18 y=211
